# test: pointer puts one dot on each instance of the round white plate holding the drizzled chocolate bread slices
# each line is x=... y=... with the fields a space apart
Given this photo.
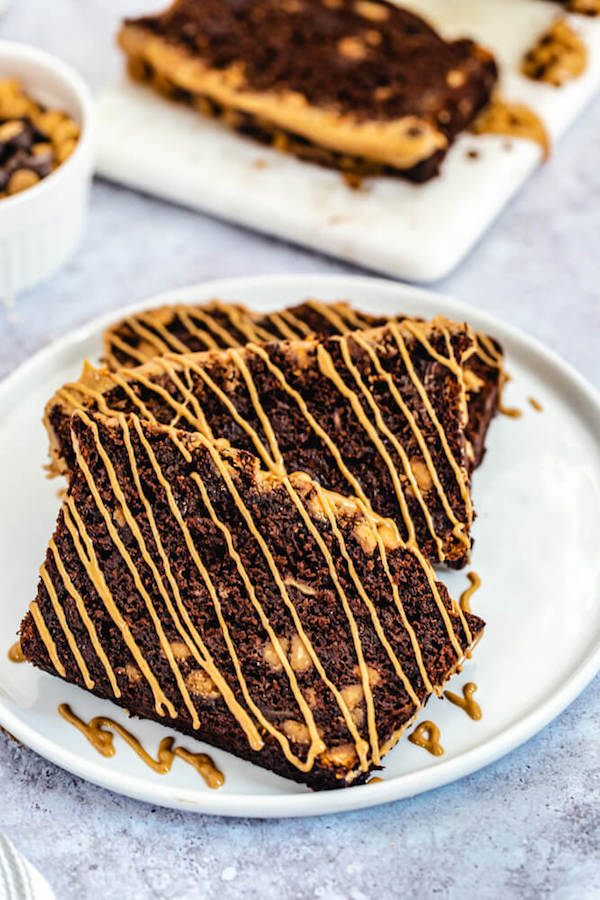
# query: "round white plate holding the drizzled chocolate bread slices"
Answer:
x=538 y=498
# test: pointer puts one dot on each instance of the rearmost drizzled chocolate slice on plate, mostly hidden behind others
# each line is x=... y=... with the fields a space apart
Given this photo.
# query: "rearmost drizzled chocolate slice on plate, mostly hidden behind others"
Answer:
x=183 y=328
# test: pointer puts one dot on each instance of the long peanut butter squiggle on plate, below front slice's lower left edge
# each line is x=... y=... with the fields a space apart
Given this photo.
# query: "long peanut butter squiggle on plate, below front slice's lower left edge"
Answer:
x=97 y=733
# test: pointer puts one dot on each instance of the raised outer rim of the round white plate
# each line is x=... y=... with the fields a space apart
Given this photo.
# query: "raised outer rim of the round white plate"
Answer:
x=396 y=787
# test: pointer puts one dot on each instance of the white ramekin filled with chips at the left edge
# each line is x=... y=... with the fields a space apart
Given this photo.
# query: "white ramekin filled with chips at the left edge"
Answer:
x=40 y=226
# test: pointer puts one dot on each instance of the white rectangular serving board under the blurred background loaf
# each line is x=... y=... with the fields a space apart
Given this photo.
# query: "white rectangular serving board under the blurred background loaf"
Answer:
x=415 y=232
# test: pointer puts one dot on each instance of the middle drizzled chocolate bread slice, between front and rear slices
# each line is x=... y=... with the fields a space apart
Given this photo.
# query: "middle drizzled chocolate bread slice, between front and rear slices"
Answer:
x=378 y=414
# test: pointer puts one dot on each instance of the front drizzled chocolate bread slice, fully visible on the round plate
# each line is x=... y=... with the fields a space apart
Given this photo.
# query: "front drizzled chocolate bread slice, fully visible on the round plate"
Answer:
x=262 y=614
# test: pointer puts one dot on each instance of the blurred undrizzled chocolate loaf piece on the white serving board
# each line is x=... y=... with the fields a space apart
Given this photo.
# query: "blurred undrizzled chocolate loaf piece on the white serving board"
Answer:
x=365 y=87
